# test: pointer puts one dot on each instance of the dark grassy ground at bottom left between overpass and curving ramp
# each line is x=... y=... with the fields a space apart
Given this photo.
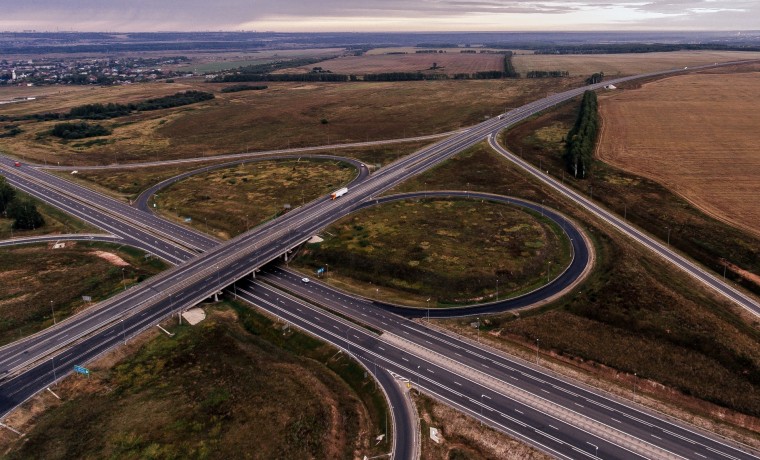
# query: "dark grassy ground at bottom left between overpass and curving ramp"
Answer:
x=236 y=386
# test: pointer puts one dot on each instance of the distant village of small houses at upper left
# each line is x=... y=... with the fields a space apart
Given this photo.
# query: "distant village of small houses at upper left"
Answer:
x=105 y=71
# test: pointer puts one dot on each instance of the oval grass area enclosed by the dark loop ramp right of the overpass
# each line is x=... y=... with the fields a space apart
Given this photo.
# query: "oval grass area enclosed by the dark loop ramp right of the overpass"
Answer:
x=448 y=251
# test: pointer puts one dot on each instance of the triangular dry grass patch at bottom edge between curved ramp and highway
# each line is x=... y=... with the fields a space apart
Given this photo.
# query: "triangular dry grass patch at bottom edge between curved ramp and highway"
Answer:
x=463 y=437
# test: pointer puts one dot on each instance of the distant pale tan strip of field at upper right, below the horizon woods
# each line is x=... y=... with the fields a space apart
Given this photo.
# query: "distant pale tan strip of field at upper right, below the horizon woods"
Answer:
x=624 y=64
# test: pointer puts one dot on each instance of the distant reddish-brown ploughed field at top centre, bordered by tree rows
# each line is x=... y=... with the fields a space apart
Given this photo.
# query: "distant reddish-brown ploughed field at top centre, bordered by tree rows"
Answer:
x=449 y=63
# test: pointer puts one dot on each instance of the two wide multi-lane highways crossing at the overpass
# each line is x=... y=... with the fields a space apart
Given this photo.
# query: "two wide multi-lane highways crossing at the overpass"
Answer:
x=574 y=422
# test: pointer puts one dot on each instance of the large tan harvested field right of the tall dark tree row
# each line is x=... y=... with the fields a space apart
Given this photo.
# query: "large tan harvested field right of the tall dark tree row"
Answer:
x=697 y=135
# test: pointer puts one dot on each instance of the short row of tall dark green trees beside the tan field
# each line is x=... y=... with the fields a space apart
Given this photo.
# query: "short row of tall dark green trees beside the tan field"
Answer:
x=579 y=148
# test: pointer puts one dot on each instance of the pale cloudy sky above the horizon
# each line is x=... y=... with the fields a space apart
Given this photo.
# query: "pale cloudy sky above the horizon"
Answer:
x=378 y=15
